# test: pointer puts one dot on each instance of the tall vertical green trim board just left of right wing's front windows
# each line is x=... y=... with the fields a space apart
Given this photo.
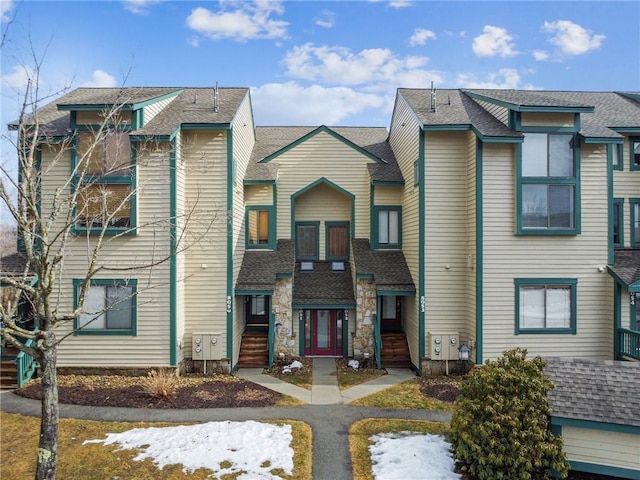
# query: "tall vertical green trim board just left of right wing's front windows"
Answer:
x=479 y=251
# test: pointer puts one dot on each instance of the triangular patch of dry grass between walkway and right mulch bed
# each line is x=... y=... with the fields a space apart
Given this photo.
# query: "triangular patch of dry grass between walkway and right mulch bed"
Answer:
x=404 y=395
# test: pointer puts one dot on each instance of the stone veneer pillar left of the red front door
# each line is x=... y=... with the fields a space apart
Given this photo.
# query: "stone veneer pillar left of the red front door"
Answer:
x=286 y=339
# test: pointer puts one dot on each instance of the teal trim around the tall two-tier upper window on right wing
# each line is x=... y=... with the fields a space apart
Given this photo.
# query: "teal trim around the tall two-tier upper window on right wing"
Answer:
x=549 y=181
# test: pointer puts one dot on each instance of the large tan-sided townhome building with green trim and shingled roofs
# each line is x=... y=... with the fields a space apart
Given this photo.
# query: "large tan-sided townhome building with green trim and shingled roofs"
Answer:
x=488 y=219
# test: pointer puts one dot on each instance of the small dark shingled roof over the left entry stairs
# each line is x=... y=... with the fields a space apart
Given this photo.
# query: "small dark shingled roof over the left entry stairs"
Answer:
x=260 y=269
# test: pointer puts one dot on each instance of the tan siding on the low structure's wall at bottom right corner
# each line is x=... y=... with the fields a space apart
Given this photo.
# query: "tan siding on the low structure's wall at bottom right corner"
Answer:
x=598 y=447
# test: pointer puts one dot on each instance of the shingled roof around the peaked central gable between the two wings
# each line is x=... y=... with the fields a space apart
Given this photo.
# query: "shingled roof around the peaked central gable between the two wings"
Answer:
x=373 y=140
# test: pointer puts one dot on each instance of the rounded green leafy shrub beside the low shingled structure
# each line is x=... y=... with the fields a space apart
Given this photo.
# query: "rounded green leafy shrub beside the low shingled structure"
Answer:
x=501 y=427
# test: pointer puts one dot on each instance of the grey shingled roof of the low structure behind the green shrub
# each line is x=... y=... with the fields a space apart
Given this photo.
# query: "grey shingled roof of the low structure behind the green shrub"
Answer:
x=595 y=390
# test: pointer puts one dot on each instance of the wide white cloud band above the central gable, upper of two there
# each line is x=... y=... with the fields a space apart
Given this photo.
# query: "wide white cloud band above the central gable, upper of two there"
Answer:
x=372 y=67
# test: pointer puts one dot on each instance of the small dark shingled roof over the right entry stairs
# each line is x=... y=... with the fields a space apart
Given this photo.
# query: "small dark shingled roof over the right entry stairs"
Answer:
x=388 y=267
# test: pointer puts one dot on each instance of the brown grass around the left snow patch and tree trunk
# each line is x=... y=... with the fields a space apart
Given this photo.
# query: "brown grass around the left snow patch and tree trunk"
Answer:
x=79 y=462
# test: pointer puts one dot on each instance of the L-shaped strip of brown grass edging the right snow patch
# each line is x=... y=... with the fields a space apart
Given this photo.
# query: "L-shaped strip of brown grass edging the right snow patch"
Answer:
x=361 y=431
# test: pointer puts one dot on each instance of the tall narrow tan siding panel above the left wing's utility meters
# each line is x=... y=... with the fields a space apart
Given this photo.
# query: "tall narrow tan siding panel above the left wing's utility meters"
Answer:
x=204 y=153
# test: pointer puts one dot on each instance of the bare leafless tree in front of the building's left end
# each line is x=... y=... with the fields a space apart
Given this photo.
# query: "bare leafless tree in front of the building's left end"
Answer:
x=79 y=210
